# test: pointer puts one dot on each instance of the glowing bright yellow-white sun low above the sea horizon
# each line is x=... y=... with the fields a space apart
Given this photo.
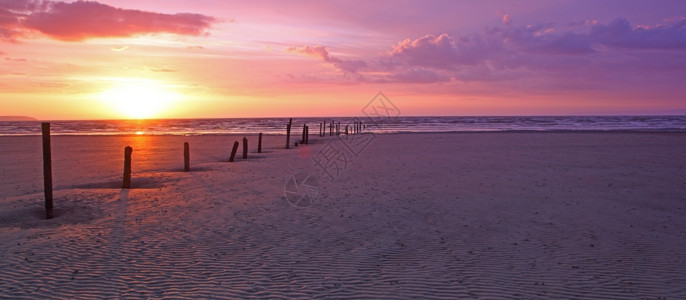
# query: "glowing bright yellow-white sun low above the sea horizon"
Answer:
x=139 y=98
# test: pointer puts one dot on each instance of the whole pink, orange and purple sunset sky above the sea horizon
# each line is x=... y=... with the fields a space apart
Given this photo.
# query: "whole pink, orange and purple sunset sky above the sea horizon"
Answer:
x=213 y=58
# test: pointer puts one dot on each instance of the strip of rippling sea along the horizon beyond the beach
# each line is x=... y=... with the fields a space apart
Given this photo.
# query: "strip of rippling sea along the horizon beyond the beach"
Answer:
x=387 y=125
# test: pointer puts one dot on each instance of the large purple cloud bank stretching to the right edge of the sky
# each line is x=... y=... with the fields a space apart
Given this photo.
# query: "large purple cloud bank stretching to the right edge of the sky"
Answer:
x=615 y=52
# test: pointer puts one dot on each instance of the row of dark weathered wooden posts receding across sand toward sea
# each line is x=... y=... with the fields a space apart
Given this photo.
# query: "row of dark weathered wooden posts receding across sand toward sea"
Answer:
x=128 y=150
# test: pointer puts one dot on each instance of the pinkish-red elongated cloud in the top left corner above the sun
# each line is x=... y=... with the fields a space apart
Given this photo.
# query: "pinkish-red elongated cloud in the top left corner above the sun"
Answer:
x=80 y=20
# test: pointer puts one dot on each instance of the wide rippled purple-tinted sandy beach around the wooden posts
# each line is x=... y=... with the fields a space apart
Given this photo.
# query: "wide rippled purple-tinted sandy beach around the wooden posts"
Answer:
x=451 y=215
